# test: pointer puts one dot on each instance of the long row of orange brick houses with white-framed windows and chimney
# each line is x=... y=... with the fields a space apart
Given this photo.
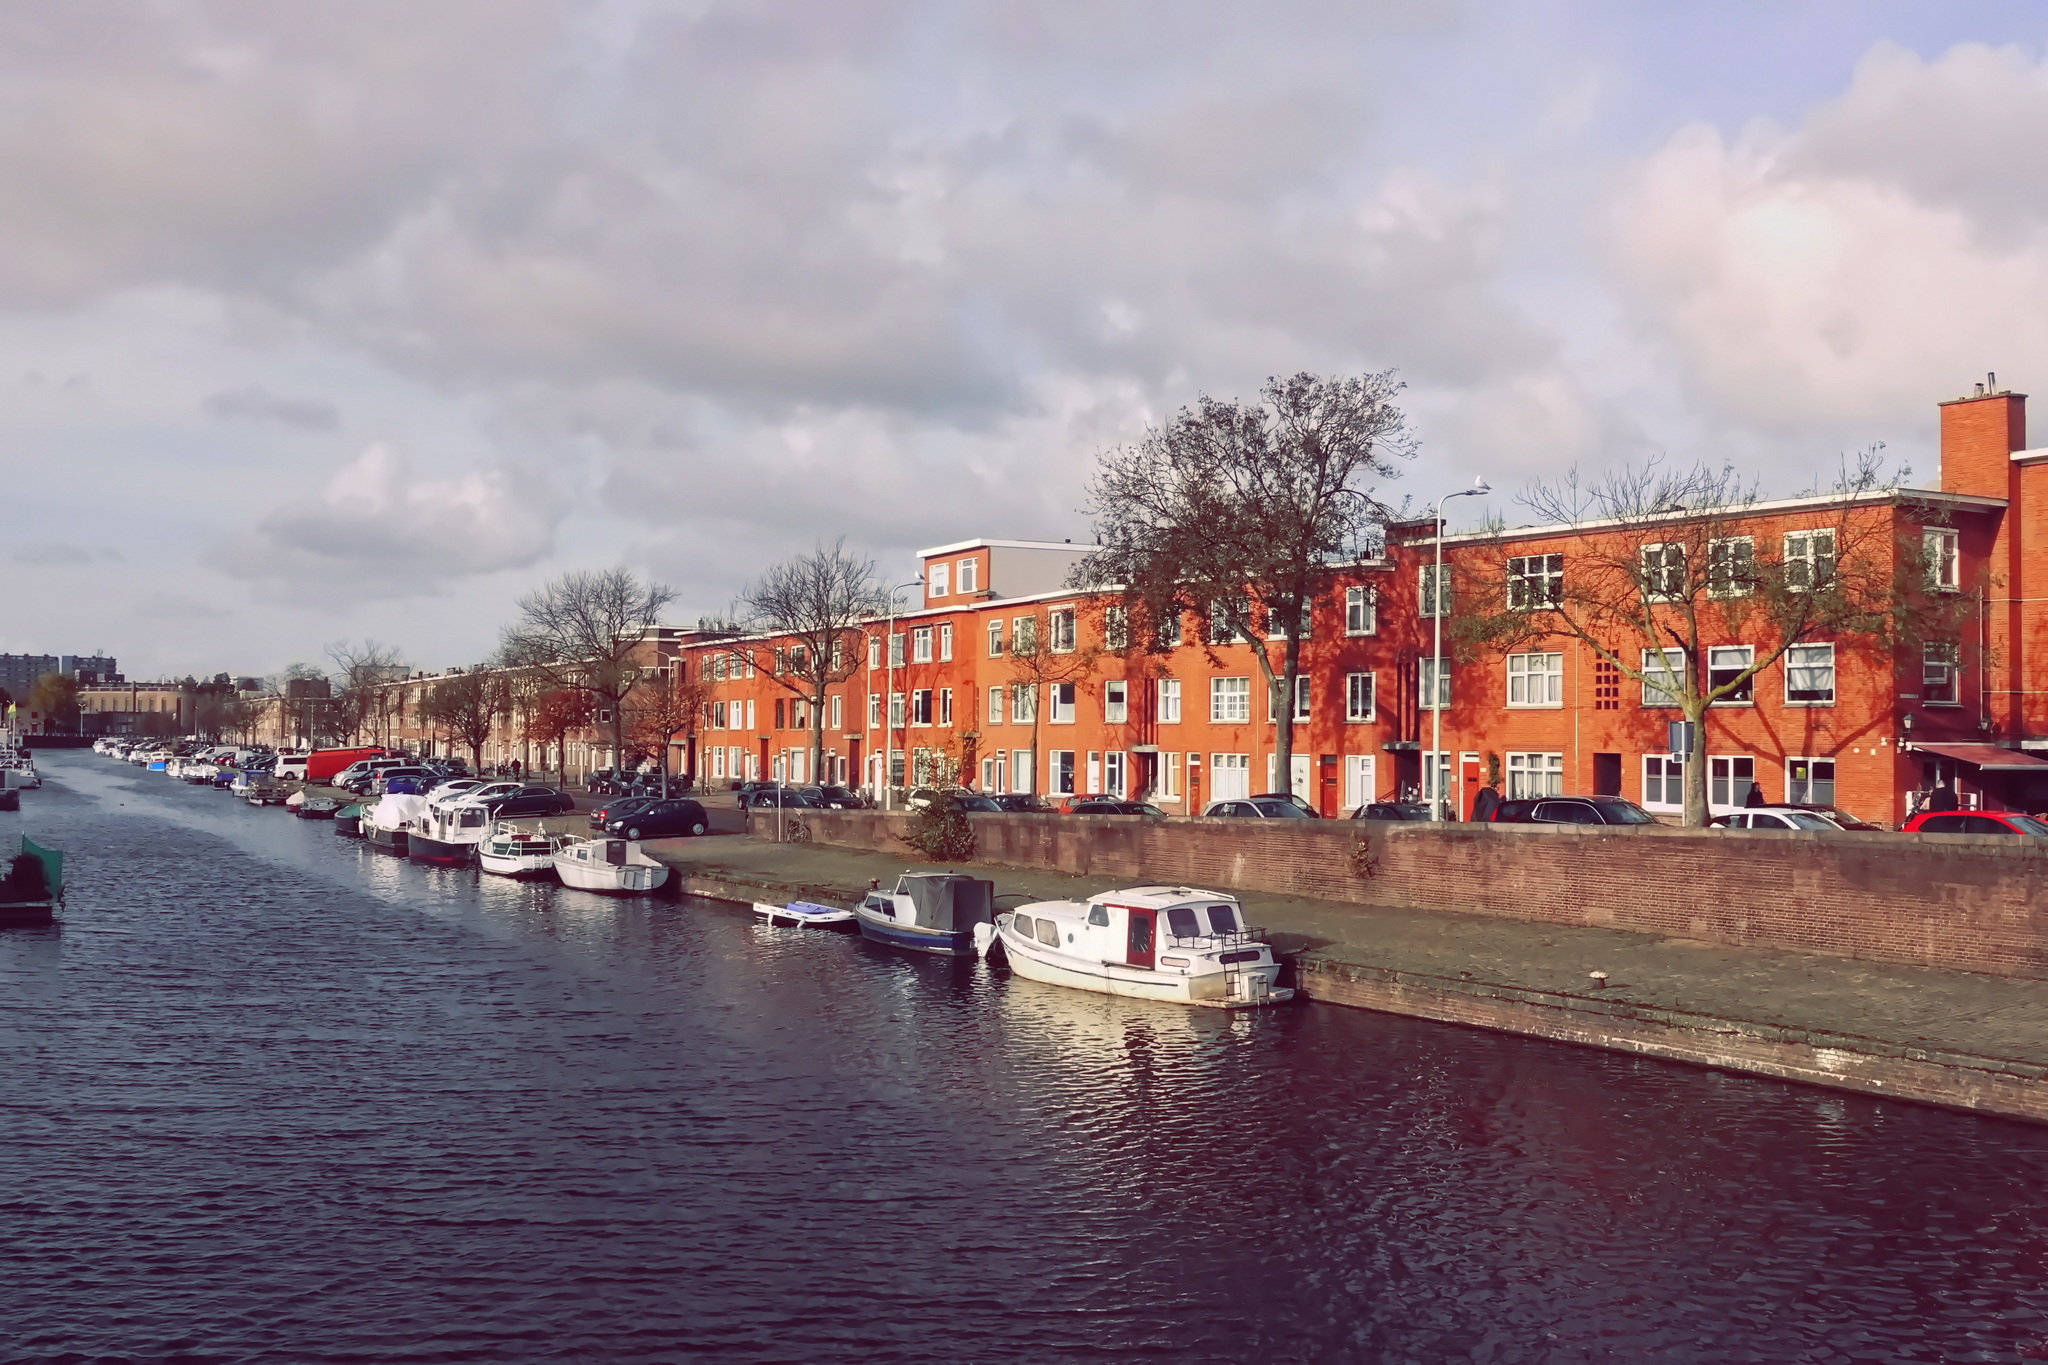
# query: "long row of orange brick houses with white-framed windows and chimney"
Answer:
x=1002 y=678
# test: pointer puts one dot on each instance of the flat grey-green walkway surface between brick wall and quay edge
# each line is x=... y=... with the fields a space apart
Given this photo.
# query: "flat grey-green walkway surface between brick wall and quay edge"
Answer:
x=1867 y=1006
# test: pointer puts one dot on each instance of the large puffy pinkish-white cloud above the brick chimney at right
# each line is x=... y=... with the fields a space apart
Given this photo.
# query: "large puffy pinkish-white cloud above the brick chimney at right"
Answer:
x=1850 y=271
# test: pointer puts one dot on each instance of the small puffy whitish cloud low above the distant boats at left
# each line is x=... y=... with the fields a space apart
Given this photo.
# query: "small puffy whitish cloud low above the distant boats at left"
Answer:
x=382 y=531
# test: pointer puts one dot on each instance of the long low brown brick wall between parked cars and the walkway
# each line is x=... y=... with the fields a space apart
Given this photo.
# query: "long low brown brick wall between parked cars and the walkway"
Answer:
x=1965 y=904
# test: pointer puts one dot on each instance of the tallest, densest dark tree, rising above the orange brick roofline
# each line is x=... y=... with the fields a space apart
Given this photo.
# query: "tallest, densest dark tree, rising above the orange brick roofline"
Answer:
x=1238 y=513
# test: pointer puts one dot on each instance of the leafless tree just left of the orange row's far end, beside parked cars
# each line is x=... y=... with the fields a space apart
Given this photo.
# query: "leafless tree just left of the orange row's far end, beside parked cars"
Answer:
x=583 y=633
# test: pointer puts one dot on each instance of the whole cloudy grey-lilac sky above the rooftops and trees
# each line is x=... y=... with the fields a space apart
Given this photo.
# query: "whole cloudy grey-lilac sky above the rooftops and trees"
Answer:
x=361 y=320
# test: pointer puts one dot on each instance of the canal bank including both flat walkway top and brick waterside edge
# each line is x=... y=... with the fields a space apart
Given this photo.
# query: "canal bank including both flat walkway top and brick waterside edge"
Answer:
x=1936 y=1037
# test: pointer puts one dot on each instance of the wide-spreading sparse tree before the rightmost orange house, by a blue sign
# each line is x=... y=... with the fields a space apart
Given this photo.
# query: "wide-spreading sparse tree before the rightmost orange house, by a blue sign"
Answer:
x=1664 y=574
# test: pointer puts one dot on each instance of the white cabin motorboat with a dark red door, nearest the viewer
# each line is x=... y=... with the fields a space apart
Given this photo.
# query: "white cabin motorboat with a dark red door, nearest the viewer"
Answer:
x=1148 y=942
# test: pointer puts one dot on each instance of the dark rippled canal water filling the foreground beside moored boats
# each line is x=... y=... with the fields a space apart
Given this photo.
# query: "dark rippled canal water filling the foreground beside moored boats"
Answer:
x=275 y=1098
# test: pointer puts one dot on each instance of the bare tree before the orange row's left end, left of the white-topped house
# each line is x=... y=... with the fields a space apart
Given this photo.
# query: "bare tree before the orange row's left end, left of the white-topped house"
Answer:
x=816 y=609
